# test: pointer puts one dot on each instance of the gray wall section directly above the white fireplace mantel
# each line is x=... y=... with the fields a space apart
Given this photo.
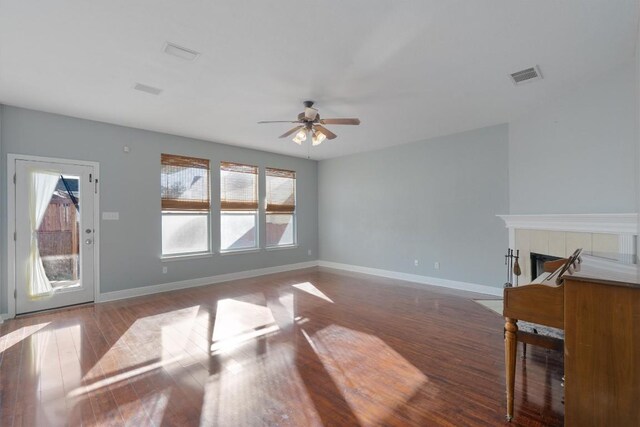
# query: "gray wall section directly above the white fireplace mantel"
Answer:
x=577 y=154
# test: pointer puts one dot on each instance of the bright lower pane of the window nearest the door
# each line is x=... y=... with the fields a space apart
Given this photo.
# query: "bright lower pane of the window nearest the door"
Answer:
x=184 y=233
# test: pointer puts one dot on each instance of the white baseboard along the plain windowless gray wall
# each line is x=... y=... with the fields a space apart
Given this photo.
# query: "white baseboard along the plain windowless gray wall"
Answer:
x=425 y=280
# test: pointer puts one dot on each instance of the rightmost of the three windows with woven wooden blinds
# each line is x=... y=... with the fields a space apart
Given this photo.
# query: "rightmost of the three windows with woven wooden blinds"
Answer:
x=281 y=206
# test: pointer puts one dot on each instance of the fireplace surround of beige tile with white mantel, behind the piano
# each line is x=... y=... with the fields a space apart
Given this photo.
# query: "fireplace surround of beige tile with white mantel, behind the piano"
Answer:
x=560 y=234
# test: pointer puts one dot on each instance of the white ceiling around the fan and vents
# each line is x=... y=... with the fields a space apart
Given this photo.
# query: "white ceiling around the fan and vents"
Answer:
x=409 y=70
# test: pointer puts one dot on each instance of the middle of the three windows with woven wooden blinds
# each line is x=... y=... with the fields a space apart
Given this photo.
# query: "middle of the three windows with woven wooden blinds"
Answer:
x=238 y=207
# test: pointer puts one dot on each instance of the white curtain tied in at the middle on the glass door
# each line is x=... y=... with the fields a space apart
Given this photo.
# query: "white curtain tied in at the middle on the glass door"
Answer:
x=41 y=188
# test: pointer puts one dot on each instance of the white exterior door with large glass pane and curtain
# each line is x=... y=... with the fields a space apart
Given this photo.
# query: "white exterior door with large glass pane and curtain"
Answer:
x=55 y=234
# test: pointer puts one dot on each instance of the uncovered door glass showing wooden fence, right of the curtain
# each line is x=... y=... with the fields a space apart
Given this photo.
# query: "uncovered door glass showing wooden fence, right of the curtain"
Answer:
x=59 y=234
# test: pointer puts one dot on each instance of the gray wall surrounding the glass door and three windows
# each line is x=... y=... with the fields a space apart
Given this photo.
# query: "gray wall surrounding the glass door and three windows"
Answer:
x=130 y=184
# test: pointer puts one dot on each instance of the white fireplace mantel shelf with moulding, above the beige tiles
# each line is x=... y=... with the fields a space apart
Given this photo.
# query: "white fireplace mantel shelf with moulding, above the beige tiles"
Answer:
x=625 y=225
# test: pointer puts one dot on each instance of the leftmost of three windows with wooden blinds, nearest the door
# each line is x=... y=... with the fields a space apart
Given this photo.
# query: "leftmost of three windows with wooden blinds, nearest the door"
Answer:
x=185 y=205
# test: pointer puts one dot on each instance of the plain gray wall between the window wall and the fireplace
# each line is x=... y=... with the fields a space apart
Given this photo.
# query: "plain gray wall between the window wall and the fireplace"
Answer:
x=434 y=200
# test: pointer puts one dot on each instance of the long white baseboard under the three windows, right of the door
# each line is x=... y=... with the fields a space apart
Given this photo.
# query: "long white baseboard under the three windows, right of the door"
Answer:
x=192 y=283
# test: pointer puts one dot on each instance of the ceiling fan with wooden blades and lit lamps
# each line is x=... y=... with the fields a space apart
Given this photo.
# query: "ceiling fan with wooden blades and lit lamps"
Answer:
x=310 y=124
